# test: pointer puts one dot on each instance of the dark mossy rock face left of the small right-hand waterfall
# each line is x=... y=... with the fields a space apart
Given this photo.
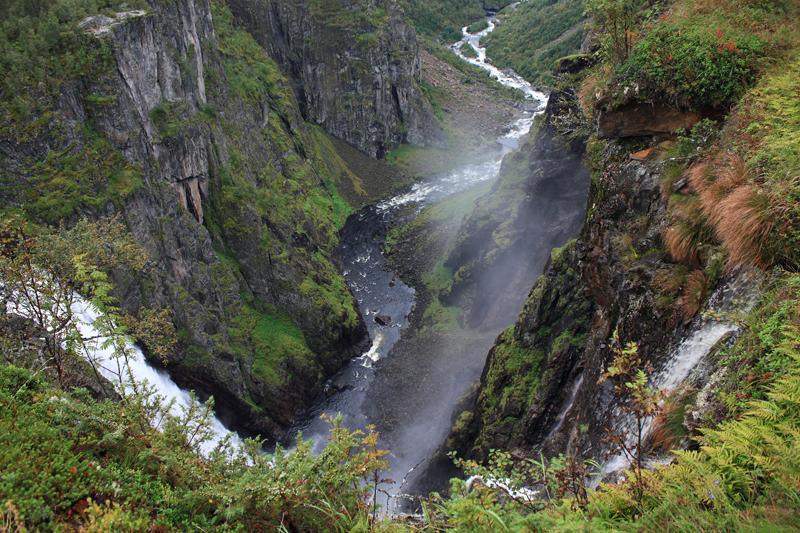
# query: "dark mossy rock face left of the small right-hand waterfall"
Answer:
x=540 y=385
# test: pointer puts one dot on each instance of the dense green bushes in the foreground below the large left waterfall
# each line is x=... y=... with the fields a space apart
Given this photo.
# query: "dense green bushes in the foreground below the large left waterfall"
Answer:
x=73 y=463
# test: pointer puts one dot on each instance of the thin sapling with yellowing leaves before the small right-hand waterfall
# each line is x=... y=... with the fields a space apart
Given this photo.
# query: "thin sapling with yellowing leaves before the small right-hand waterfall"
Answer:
x=640 y=402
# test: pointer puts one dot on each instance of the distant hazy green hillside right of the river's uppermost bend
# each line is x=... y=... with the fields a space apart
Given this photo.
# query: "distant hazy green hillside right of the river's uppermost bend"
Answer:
x=532 y=35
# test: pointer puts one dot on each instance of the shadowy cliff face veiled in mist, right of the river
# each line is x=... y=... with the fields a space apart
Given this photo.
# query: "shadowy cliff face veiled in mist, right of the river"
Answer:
x=537 y=203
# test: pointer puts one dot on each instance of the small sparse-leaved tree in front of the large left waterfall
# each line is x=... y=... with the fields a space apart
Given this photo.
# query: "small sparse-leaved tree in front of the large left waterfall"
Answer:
x=43 y=275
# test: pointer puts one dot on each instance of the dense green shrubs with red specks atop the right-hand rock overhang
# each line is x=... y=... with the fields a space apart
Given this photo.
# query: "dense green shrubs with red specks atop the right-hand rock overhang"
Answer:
x=695 y=56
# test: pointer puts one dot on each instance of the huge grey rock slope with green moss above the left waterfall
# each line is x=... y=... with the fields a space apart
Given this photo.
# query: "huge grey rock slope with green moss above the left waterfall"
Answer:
x=176 y=120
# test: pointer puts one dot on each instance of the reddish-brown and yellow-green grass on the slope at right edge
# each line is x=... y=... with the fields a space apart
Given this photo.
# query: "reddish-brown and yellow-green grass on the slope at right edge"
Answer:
x=746 y=190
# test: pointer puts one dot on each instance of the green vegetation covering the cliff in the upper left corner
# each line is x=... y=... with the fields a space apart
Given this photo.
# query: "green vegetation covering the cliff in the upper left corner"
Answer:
x=41 y=50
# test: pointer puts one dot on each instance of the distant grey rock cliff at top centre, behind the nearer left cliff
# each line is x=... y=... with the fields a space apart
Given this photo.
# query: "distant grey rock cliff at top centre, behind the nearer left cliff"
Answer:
x=354 y=65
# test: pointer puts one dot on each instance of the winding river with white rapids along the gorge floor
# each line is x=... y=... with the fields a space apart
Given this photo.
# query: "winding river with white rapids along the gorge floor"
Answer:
x=406 y=388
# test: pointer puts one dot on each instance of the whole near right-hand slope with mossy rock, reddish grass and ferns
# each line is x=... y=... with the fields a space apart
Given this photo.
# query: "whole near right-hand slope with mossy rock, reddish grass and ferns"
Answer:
x=671 y=217
